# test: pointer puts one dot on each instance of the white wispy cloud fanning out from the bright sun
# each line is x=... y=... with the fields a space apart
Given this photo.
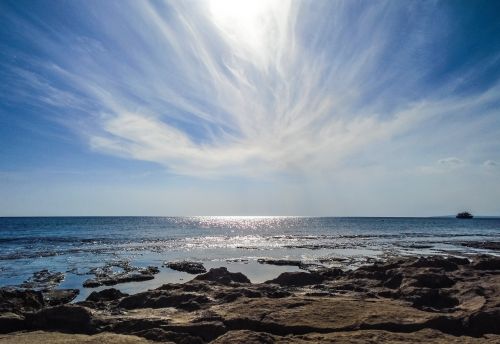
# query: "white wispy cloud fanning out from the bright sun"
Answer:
x=250 y=88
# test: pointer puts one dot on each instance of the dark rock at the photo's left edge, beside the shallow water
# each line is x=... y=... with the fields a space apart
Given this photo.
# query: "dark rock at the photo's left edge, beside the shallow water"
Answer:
x=16 y=300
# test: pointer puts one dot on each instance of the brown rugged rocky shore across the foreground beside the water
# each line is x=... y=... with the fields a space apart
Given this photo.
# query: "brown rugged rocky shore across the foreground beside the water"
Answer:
x=400 y=300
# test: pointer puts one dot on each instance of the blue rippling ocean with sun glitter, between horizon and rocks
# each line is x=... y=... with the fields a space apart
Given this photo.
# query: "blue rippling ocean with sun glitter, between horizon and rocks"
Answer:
x=75 y=245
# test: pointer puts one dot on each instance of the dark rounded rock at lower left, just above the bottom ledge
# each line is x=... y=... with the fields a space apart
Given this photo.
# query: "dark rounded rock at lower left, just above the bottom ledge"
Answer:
x=65 y=318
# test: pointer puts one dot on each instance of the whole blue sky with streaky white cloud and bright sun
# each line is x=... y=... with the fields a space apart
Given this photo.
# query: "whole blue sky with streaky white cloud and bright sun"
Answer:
x=262 y=107
